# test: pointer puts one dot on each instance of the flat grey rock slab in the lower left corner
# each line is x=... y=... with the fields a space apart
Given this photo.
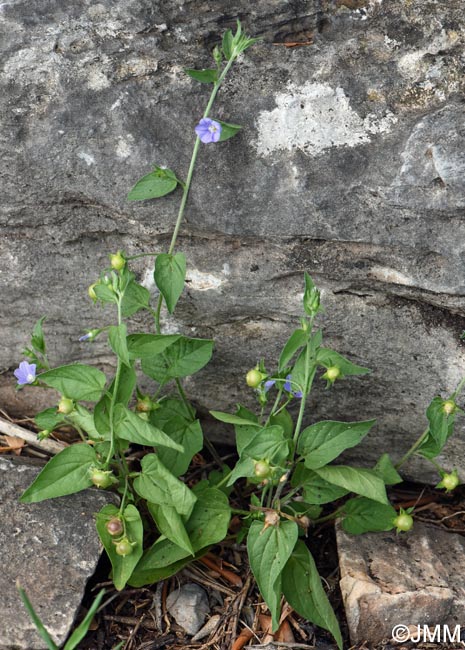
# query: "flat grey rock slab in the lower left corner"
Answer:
x=51 y=548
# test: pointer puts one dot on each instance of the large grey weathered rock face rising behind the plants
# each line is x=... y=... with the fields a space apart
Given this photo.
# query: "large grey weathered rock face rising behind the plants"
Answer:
x=350 y=166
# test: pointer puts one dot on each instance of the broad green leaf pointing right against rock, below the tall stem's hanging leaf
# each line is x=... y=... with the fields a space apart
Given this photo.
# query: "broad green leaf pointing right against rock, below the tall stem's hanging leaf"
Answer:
x=184 y=357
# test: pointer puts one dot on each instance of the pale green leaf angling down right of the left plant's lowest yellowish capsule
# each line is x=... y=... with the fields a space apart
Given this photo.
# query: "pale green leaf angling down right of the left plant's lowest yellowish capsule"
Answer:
x=156 y=484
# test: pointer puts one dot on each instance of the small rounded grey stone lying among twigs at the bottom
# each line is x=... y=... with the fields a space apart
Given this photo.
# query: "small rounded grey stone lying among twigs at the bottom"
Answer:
x=189 y=606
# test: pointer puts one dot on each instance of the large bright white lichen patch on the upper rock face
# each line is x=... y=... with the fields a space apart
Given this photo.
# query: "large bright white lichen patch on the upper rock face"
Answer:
x=313 y=118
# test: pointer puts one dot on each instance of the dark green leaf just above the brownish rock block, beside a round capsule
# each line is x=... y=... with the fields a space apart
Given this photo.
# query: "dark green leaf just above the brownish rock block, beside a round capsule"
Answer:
x=361 y=515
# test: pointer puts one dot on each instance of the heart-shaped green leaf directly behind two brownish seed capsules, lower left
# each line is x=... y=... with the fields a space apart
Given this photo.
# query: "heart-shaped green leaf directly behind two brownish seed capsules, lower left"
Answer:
x=122 y=566
